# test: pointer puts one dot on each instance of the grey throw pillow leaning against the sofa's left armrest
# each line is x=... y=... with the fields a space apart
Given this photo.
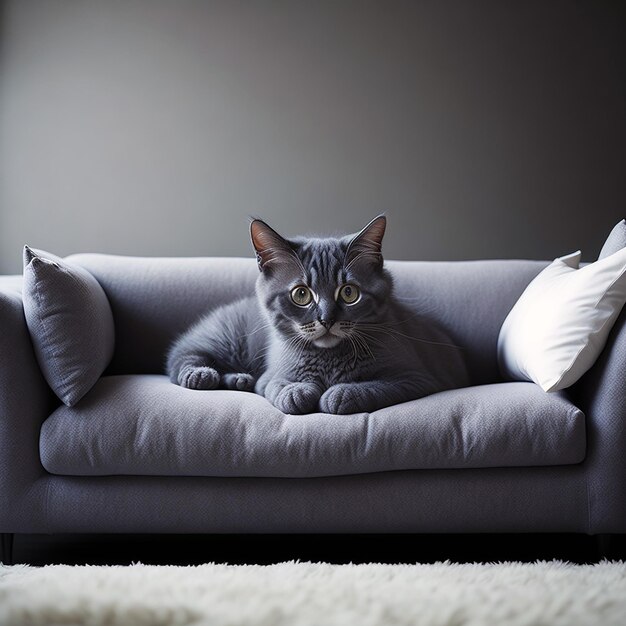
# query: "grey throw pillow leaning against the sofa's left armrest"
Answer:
x=70 y=323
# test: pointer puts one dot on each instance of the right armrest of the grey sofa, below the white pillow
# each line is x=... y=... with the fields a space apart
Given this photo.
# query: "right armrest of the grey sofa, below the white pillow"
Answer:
x=601 y=395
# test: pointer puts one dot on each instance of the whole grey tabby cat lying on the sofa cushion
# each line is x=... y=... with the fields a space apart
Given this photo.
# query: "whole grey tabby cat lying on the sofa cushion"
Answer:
x=323 y=333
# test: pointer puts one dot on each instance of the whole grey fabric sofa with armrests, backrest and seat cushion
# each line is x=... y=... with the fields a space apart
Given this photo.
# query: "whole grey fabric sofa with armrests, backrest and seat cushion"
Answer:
x=140 y=455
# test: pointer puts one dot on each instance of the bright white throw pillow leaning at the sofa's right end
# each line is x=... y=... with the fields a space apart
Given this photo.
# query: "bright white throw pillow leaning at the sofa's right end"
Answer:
x=561 y=322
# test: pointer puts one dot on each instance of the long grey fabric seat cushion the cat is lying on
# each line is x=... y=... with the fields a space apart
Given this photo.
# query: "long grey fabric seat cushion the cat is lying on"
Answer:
x=145 y=425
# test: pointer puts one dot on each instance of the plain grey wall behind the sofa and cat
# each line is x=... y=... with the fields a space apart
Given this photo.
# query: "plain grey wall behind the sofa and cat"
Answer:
x=151 y=127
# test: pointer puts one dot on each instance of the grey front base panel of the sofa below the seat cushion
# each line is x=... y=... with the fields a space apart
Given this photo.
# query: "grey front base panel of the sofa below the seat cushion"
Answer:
x=537 y=499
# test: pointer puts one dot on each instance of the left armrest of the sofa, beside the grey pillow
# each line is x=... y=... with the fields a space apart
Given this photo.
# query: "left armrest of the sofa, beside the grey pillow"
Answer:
x=25 y=402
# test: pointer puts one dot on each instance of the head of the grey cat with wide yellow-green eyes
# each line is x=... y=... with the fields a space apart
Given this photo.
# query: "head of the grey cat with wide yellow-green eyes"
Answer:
x=321 y=290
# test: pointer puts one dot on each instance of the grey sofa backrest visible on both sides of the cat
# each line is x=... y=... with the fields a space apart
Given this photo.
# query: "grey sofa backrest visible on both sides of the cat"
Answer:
x=156 y=299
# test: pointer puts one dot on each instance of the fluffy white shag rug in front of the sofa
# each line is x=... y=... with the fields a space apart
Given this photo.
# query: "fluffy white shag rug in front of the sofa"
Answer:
x=316 y=594
